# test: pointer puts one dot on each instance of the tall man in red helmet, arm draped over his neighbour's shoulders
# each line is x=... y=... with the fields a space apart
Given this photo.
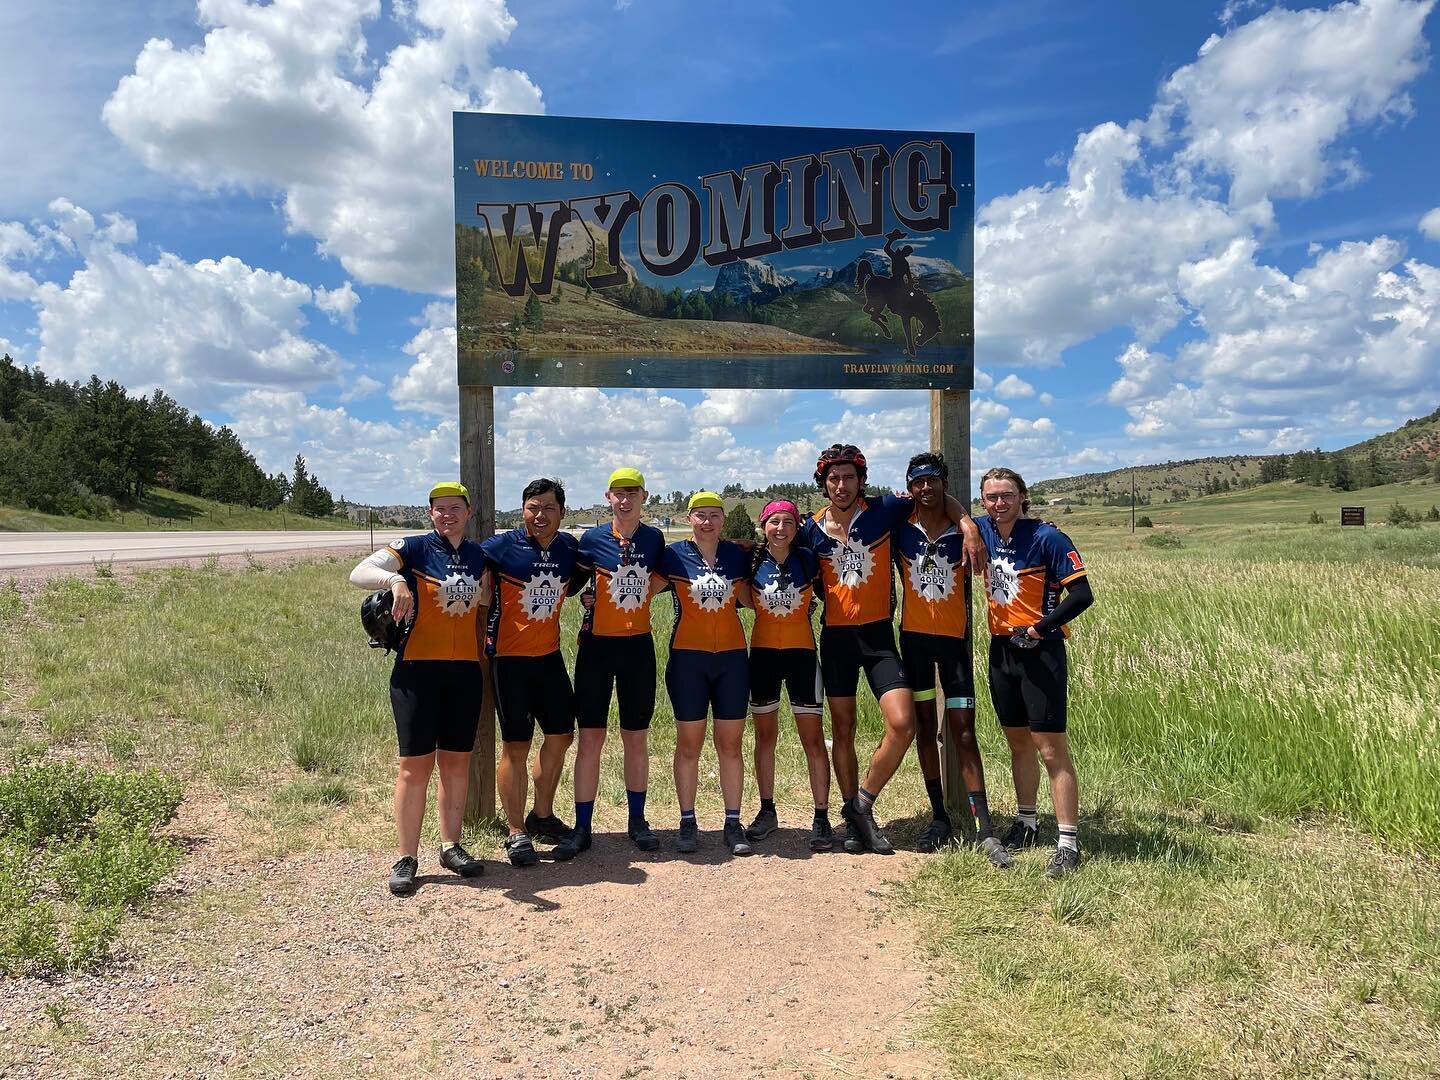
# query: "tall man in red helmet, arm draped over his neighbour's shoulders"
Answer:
x=853 y=538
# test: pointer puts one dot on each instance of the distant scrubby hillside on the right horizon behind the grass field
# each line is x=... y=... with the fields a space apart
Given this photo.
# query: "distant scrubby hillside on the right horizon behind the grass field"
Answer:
x=1409 y=453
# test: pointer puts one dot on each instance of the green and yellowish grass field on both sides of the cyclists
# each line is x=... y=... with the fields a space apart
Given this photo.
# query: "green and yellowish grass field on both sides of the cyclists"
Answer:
x=1256 y=728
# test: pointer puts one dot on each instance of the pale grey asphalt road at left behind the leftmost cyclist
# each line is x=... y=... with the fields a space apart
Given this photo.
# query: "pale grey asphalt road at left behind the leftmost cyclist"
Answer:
x=28 y=551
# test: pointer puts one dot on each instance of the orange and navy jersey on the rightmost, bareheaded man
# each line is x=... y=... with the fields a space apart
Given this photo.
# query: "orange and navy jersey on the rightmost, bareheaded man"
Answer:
x=1027 y=572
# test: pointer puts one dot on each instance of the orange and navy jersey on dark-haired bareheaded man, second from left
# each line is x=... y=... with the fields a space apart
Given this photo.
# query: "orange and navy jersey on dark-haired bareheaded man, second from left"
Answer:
x=531 y=587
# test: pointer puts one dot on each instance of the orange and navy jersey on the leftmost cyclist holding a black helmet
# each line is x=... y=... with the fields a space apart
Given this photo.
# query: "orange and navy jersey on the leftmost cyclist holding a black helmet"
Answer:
x=446 y=582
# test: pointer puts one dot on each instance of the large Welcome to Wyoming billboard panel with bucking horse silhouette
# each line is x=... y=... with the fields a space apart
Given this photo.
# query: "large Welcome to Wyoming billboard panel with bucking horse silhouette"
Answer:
x=607 y=253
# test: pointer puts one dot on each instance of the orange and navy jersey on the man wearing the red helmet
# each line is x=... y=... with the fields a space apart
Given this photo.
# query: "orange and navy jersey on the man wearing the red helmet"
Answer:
x=856 y=572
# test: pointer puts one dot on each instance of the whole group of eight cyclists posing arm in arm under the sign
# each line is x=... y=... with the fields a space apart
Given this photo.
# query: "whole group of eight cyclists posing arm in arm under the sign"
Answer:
x=502 y=598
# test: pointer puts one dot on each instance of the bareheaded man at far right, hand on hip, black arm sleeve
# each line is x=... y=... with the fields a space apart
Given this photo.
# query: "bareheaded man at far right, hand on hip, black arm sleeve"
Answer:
x=1032 y=565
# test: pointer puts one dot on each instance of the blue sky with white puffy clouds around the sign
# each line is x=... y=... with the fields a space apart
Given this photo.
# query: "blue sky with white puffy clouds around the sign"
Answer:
x=1200 y=228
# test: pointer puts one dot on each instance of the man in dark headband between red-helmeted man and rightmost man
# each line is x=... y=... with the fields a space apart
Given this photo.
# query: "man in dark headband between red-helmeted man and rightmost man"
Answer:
x=934 y=629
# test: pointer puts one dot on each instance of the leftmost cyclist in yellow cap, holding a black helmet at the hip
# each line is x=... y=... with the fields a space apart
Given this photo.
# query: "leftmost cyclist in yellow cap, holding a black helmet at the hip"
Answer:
x=438 y=585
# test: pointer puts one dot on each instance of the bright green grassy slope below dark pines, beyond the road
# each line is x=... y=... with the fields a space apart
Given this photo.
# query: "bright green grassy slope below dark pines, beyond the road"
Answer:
x=169 y=510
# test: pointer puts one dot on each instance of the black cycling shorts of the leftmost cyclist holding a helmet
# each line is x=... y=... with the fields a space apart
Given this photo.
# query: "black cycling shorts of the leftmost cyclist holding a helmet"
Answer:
x=437 y=705
